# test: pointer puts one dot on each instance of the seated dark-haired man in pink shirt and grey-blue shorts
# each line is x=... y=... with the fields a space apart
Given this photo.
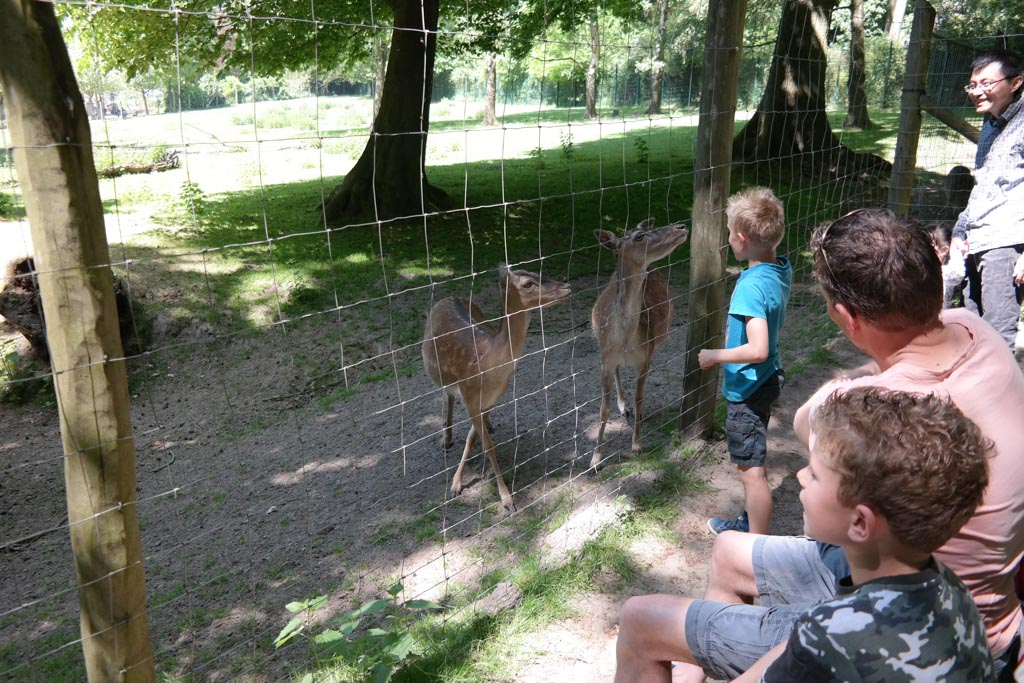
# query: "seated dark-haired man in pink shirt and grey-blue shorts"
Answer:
x=883 y=286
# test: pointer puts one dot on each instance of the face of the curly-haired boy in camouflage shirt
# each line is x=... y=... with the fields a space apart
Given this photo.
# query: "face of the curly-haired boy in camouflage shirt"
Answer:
x=825 y=518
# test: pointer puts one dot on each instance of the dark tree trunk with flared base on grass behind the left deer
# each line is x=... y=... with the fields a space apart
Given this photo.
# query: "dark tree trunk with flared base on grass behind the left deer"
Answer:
x=390 y=181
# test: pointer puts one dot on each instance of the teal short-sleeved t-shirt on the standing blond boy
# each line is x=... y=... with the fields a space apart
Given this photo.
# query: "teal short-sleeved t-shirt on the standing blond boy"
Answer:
x=762 y=291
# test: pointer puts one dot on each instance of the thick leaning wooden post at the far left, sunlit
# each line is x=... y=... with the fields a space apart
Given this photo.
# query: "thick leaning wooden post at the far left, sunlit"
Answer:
x=54 y=156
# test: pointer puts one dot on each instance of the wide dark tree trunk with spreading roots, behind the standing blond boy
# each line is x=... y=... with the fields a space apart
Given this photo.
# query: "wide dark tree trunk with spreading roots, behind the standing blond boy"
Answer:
x=791 y=124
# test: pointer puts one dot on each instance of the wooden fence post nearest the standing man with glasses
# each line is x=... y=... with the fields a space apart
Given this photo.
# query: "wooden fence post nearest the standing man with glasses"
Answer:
x=906 y=157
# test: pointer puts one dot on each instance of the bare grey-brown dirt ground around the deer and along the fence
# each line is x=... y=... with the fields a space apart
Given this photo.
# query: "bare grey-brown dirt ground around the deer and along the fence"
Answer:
x=254 y=491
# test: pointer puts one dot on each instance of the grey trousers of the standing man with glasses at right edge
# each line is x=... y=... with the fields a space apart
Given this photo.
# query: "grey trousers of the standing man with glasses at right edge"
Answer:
x=992 y=292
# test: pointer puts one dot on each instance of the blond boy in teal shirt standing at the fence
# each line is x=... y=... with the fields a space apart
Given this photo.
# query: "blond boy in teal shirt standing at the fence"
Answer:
x=753 y=370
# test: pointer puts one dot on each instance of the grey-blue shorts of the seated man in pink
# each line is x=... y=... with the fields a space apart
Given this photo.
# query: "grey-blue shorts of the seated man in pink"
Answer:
x=727 y=639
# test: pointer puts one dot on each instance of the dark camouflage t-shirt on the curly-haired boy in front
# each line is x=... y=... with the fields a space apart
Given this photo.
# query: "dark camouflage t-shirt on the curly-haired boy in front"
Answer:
x=920 y=627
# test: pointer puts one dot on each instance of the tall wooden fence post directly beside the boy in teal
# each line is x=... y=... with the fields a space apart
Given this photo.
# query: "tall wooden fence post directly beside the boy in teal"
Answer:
x=711 y=190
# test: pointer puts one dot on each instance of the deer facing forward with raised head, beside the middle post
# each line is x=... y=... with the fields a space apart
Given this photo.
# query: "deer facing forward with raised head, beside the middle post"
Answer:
x=632 y=316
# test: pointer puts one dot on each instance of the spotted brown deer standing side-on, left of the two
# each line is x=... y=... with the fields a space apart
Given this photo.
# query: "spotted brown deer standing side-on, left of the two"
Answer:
x=466 y=356
